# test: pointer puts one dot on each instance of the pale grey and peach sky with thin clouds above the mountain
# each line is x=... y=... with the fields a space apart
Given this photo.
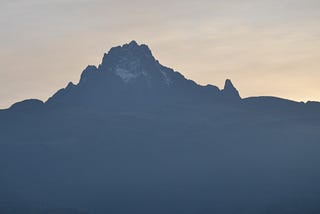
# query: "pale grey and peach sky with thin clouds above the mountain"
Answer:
x=267 y=47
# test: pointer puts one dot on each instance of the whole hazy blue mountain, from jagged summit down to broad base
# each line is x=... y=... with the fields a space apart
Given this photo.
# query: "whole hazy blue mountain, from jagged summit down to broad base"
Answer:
x=134 y=136
